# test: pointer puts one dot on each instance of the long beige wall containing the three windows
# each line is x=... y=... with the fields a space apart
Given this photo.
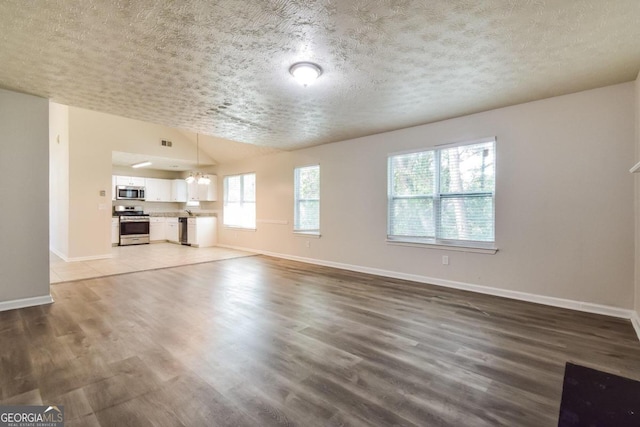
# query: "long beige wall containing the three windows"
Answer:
x=563 y=200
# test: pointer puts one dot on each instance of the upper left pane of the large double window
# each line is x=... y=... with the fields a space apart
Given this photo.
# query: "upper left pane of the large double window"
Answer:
x=413 y=174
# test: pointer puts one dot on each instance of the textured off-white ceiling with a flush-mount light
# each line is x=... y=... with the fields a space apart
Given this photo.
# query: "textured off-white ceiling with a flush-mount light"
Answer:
x=221 y=68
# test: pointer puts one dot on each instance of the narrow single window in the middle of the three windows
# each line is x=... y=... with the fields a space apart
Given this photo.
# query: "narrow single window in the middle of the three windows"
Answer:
x=306 y=215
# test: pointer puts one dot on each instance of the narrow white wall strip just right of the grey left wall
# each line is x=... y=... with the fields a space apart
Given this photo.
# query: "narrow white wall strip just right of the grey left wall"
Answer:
x=59 y=178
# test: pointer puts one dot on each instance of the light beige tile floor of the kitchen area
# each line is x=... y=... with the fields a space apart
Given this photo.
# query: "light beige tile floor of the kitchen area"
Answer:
x=127 y=259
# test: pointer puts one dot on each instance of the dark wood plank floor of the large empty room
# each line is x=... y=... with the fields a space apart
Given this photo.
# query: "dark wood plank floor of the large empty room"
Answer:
x=262 y=341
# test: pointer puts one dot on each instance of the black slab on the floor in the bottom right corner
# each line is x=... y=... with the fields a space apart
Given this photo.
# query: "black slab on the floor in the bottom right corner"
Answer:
x=597 y=399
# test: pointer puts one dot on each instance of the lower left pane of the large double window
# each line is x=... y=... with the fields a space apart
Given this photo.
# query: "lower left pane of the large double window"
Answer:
x=411 y=217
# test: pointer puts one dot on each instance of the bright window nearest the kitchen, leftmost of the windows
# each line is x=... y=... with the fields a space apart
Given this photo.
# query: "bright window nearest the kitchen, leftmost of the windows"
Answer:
x=239 y=208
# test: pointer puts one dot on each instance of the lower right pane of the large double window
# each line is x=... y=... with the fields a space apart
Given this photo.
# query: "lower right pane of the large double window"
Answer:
x=467 y=218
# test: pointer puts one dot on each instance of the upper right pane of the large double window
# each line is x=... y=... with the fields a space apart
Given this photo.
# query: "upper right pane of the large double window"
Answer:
x=468 y=168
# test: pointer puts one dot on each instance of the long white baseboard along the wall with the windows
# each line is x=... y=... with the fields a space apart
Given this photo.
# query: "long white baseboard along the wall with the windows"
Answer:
x=506 y=293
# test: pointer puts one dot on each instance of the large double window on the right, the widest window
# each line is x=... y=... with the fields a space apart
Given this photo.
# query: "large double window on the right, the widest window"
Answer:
x=443 y=196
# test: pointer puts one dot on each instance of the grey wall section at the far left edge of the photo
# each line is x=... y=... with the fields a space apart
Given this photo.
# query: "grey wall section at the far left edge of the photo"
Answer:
x=24 y=186
